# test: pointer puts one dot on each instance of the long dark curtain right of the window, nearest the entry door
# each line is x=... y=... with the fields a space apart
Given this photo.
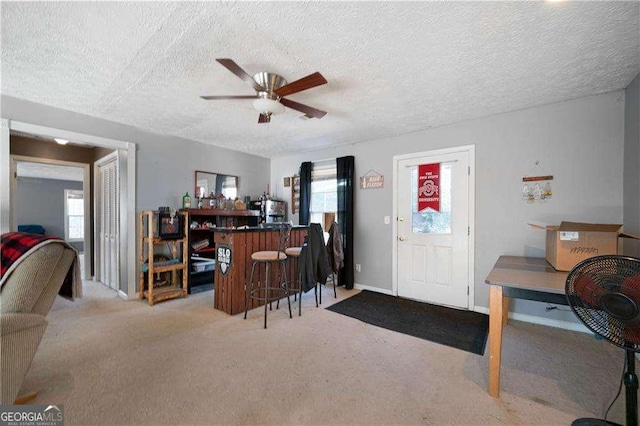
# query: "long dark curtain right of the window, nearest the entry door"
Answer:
x=345 y=172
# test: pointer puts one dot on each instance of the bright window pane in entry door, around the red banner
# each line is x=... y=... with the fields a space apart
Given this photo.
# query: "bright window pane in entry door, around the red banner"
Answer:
x=429 y=221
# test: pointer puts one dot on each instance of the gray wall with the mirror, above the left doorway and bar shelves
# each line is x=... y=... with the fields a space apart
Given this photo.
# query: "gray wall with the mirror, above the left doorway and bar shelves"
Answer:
x=165 y=164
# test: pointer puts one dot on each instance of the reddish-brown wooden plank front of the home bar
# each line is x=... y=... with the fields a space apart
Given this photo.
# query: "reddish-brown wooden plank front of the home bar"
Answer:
x=230 y=287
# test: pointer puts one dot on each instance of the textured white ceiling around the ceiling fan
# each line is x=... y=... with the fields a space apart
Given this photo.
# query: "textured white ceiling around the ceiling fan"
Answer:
x=392 y=67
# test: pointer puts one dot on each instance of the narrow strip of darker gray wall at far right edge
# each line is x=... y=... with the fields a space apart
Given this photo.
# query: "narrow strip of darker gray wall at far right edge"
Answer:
x=632 y=165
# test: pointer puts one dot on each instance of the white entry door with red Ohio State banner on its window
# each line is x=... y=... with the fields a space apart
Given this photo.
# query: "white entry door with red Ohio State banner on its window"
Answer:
x=433 y=246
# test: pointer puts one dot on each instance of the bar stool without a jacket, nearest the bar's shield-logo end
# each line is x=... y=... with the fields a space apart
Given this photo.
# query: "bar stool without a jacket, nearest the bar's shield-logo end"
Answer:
x=268 y=258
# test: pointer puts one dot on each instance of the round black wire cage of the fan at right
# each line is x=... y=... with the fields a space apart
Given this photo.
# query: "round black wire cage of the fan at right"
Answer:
x=591 y=282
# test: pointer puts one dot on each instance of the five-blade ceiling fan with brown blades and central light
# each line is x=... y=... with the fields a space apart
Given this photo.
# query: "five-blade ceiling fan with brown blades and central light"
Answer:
x=270 y=91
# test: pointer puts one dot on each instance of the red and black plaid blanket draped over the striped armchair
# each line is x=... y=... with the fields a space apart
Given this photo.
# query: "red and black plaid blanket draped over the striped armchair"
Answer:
x=15 y=246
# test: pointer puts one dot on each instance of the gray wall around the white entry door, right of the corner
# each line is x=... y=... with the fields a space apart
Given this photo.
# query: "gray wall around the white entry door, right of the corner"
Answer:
x=580 y=142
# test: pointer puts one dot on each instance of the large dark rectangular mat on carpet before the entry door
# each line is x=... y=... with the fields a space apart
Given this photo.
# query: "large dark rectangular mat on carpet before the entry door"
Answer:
x=464 y=330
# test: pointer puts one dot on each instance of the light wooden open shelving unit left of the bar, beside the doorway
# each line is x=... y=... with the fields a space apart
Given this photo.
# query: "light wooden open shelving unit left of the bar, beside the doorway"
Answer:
x=149 y=289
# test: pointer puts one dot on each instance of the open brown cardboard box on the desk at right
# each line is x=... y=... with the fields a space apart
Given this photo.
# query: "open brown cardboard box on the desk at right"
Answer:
x=572 y=242
